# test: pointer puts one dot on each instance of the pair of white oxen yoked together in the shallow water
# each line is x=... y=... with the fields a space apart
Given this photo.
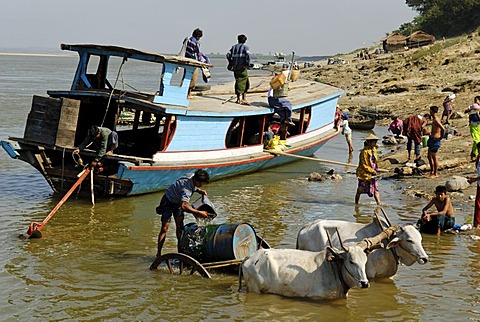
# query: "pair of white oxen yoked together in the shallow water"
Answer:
x=327 y=266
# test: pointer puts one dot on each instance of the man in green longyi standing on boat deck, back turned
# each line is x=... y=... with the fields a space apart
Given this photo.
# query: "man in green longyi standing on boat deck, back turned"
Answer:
x=239 y=60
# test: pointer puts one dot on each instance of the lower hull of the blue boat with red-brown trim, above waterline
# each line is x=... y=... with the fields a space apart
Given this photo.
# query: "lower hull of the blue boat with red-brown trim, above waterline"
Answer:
x=132 y=179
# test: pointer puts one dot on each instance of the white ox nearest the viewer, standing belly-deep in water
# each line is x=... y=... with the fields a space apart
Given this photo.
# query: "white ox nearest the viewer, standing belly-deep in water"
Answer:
x=328 y=274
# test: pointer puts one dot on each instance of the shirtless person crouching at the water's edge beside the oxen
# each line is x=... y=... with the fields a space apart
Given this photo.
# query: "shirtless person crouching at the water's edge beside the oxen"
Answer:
x=443 y=218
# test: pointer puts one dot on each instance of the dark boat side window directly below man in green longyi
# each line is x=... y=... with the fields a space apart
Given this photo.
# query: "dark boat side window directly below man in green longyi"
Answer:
x=244 y=131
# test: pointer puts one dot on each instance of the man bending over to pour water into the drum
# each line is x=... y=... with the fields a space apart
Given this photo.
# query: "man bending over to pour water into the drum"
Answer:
x=175 y=202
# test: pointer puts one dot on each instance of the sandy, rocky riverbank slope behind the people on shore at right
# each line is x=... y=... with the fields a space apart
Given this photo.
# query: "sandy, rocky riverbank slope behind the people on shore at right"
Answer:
x=407 y=83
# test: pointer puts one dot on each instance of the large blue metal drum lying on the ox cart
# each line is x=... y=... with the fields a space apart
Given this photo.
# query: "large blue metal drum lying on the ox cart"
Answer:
x=214 y=243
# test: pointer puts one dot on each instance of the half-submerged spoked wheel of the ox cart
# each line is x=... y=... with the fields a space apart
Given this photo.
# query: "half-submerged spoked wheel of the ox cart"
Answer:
x=179 y=264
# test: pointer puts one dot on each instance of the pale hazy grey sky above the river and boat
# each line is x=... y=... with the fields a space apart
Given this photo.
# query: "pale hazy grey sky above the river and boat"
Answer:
x=308 y=27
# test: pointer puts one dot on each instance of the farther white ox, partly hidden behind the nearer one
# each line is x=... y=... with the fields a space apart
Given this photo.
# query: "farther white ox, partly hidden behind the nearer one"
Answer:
x=405 y=248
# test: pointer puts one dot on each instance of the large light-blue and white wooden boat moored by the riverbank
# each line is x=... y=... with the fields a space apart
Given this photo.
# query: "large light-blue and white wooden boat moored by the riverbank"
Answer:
x=208 y=131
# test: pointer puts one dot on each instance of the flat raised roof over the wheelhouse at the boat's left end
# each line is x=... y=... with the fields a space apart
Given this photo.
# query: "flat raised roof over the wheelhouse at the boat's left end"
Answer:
x=111 y=50
